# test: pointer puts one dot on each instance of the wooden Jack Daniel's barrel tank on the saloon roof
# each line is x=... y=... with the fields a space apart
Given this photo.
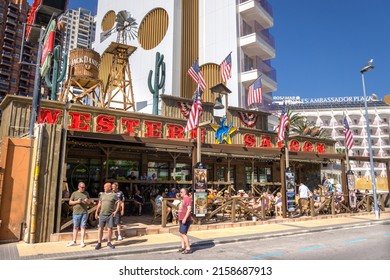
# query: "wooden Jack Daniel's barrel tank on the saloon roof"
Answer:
x=84 y=64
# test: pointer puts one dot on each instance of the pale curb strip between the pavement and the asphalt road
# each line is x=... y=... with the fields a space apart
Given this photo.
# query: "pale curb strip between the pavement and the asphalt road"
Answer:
x=207 y=243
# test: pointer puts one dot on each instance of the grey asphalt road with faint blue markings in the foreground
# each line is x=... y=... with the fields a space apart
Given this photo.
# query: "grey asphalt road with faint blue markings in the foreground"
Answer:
x=369 y=242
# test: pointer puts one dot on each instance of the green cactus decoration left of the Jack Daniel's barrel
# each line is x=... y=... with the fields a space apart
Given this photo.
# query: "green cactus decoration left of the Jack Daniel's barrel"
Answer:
x=53 y=84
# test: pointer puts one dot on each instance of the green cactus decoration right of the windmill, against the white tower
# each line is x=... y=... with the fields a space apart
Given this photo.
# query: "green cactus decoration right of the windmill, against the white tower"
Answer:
x=158 y=83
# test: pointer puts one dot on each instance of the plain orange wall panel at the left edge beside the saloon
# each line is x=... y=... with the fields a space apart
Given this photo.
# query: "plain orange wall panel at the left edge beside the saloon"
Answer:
x=14 y=174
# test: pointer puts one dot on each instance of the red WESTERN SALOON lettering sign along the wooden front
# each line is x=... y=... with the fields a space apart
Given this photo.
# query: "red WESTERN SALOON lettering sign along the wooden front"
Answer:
x=141 y=126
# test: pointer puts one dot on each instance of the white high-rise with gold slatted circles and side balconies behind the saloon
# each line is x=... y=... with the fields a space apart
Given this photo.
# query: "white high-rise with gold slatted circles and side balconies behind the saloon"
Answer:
x=186 y=30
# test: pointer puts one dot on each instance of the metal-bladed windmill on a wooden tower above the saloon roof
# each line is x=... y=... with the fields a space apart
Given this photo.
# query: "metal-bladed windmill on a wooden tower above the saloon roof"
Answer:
x=115 y=68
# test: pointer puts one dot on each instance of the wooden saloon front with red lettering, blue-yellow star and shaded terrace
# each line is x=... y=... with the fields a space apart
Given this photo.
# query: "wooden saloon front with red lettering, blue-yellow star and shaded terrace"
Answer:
x=152 y=151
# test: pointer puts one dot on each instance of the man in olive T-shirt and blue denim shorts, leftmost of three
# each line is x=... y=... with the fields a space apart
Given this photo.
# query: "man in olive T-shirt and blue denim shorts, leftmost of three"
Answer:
x=79 y=200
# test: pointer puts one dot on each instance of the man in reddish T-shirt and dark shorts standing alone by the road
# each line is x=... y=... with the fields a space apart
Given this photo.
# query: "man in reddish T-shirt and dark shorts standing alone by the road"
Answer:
x=185 y=221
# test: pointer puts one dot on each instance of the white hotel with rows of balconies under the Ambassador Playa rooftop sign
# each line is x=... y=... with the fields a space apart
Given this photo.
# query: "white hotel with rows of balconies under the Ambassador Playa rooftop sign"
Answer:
x=327 y=113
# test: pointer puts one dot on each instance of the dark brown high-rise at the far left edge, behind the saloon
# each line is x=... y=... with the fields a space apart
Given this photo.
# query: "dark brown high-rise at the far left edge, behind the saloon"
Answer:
x=15 y=78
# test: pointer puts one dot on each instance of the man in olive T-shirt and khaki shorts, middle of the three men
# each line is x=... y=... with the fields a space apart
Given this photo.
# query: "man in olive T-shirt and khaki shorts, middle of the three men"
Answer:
x=106 y=210
